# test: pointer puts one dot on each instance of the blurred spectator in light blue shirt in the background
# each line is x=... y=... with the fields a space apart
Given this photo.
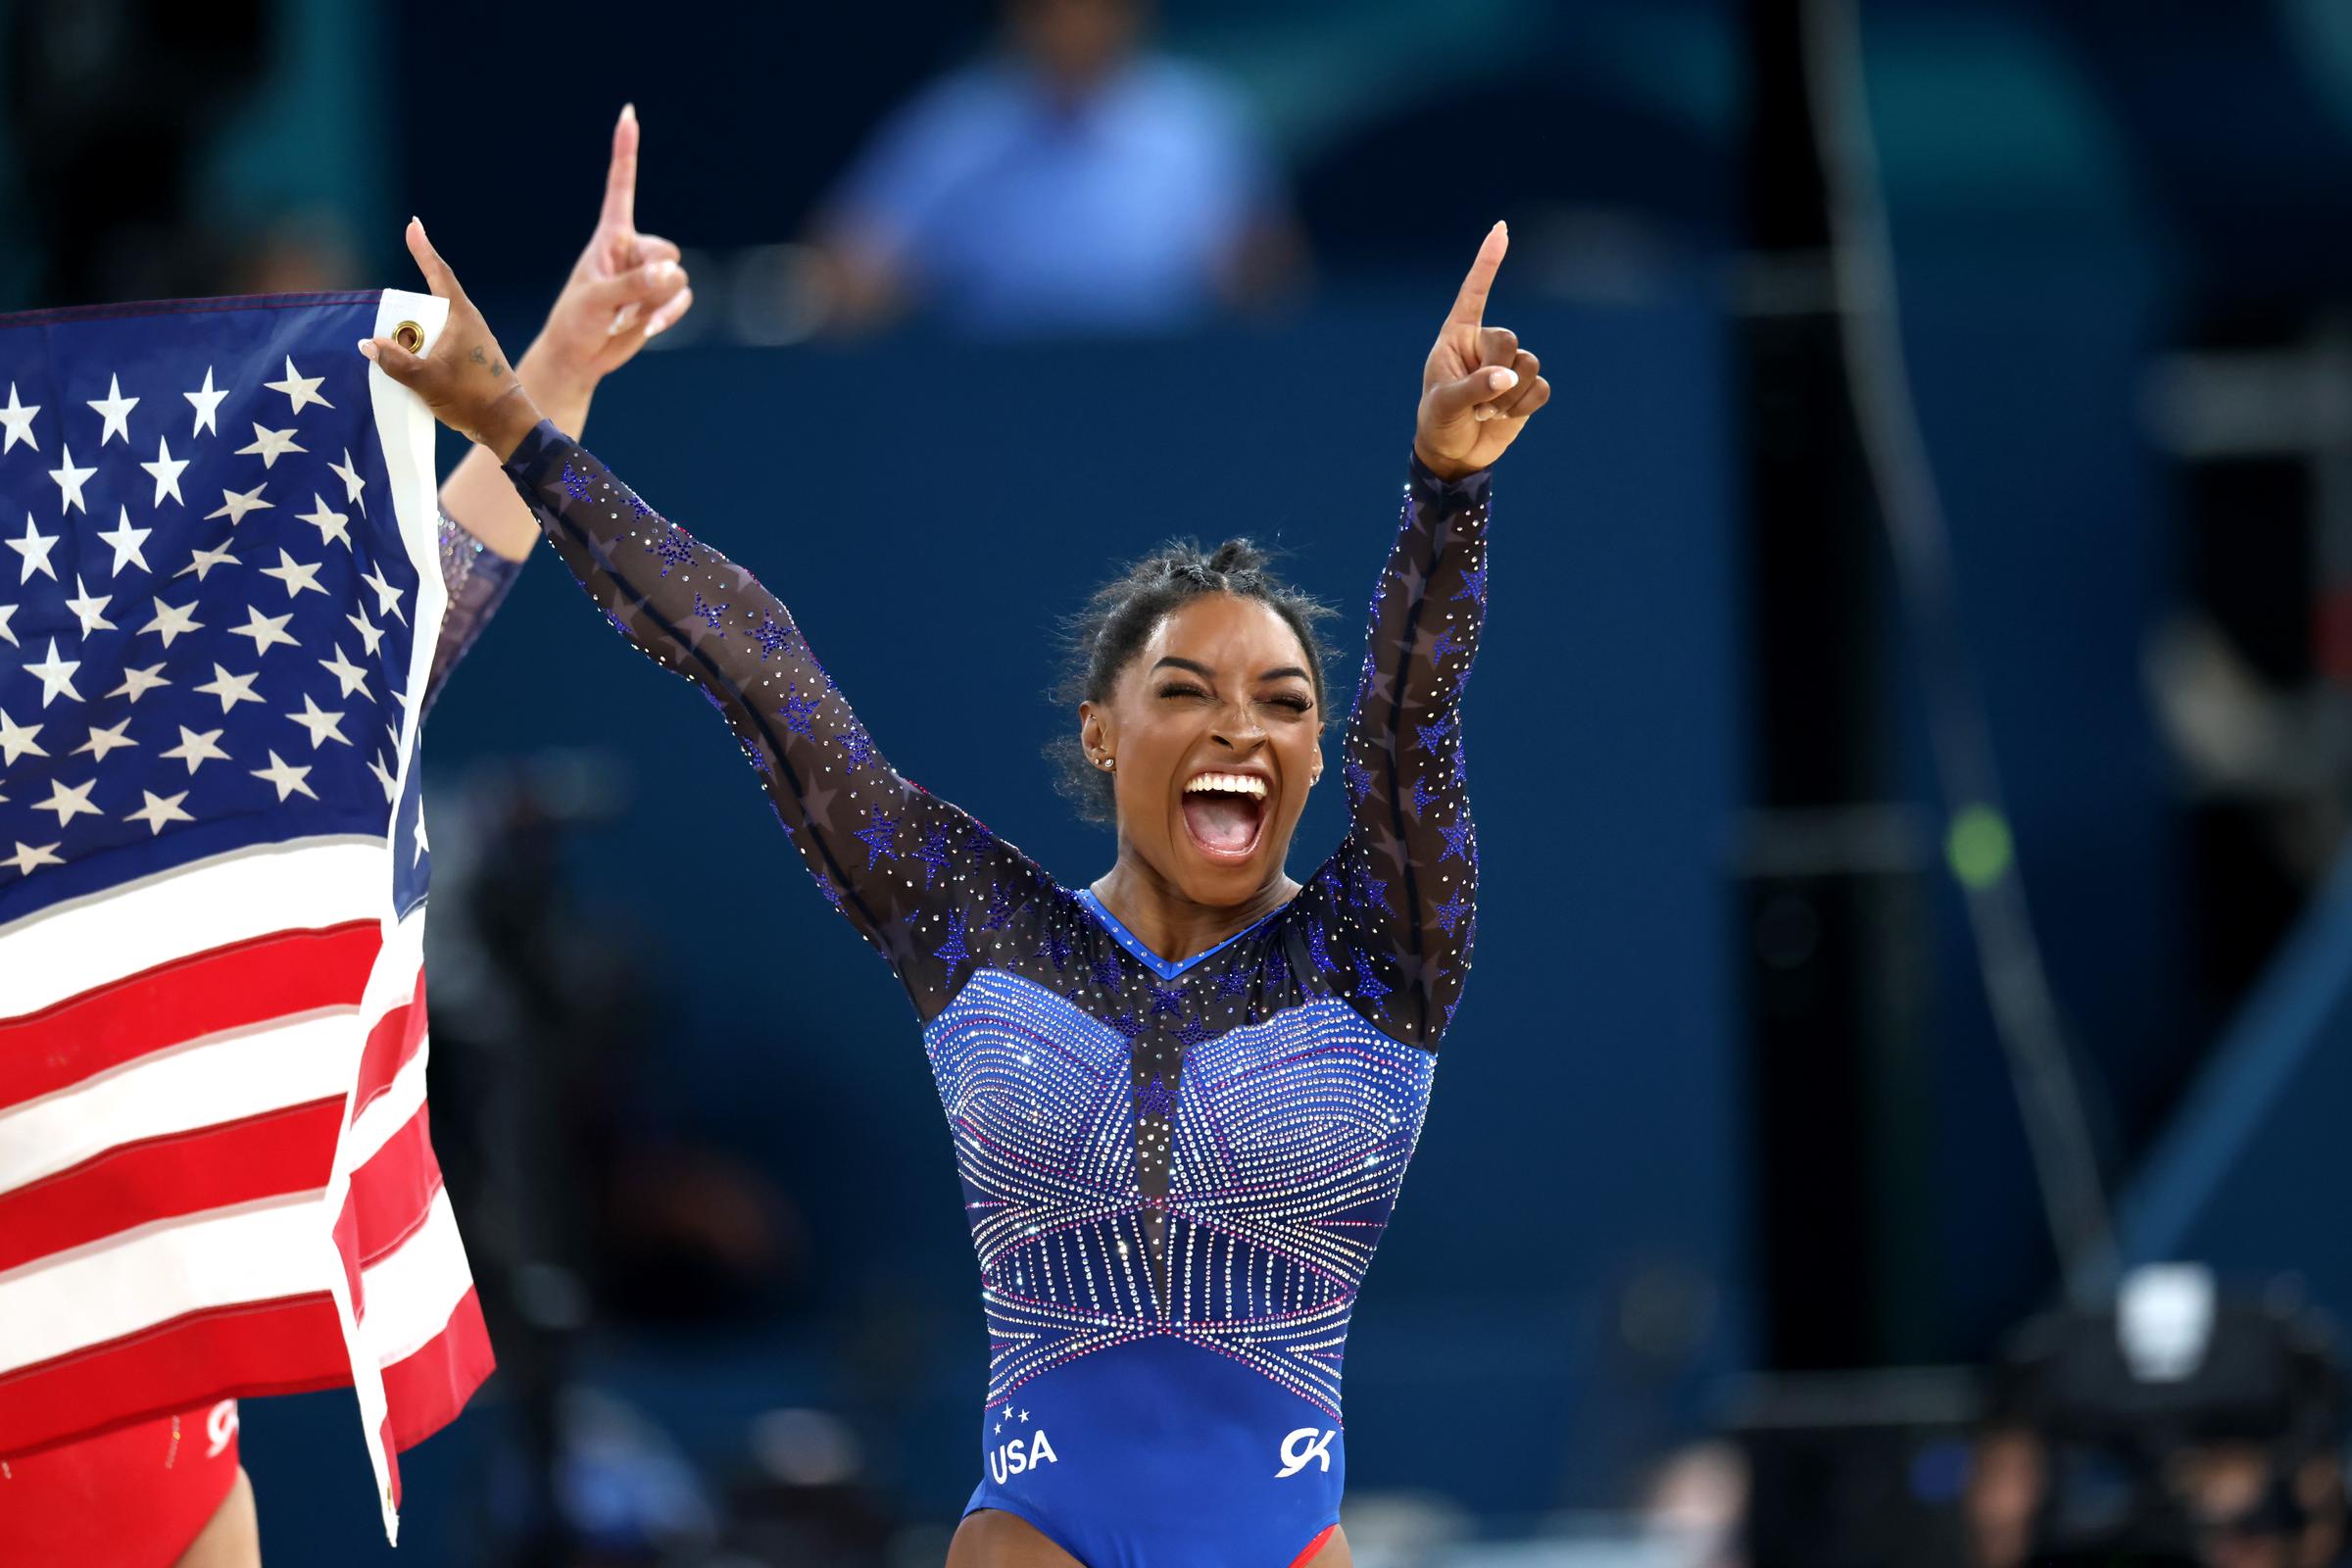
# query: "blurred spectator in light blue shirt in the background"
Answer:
x=1071 y=182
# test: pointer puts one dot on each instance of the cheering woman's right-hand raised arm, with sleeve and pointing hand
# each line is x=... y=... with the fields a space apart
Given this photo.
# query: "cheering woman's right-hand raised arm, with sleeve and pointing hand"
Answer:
x=1401 y=892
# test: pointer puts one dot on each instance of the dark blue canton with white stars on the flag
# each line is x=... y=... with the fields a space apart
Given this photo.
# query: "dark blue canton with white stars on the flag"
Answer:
x=208 y=608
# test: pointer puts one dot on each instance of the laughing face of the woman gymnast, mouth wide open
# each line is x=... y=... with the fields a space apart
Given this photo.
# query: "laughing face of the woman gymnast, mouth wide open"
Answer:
x=1215 y=735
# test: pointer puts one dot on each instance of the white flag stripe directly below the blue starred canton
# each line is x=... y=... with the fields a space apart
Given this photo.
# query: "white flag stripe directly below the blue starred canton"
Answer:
x=138 y=925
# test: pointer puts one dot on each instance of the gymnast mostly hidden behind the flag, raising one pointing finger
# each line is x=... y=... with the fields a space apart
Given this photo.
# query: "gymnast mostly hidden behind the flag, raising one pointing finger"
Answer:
x=171 y=1492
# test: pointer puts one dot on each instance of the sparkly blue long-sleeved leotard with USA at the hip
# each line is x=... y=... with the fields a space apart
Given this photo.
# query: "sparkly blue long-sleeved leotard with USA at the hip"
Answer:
x=1175 y=1172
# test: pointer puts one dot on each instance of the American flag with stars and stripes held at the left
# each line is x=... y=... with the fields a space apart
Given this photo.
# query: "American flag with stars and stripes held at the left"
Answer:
x=218 y=610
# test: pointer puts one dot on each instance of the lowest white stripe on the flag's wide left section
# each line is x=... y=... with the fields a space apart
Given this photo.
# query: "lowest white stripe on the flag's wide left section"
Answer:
x=166 y=1271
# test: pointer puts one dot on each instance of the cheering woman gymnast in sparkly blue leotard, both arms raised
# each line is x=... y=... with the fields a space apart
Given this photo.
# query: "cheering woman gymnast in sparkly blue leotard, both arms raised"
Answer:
x=1182 y=1097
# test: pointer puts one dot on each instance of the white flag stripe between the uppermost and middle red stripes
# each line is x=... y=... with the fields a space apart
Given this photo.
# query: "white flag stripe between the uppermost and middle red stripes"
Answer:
x=182 y=1090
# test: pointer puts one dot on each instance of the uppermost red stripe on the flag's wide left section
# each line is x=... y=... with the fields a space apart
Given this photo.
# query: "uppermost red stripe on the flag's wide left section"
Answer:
x=229 y=989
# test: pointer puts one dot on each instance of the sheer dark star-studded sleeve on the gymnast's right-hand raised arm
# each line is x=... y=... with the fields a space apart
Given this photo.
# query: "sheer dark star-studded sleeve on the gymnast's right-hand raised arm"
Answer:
x=1398 y=897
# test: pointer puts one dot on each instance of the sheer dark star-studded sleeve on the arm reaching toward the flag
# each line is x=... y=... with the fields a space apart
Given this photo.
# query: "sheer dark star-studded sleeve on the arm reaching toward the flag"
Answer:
x=918 y=878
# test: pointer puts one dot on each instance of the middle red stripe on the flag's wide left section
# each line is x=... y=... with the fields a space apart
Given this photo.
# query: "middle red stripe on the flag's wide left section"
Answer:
x=236 y=1162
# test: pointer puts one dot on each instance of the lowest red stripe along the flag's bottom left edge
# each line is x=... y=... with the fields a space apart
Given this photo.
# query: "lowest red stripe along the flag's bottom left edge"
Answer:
x=286 y=1346
